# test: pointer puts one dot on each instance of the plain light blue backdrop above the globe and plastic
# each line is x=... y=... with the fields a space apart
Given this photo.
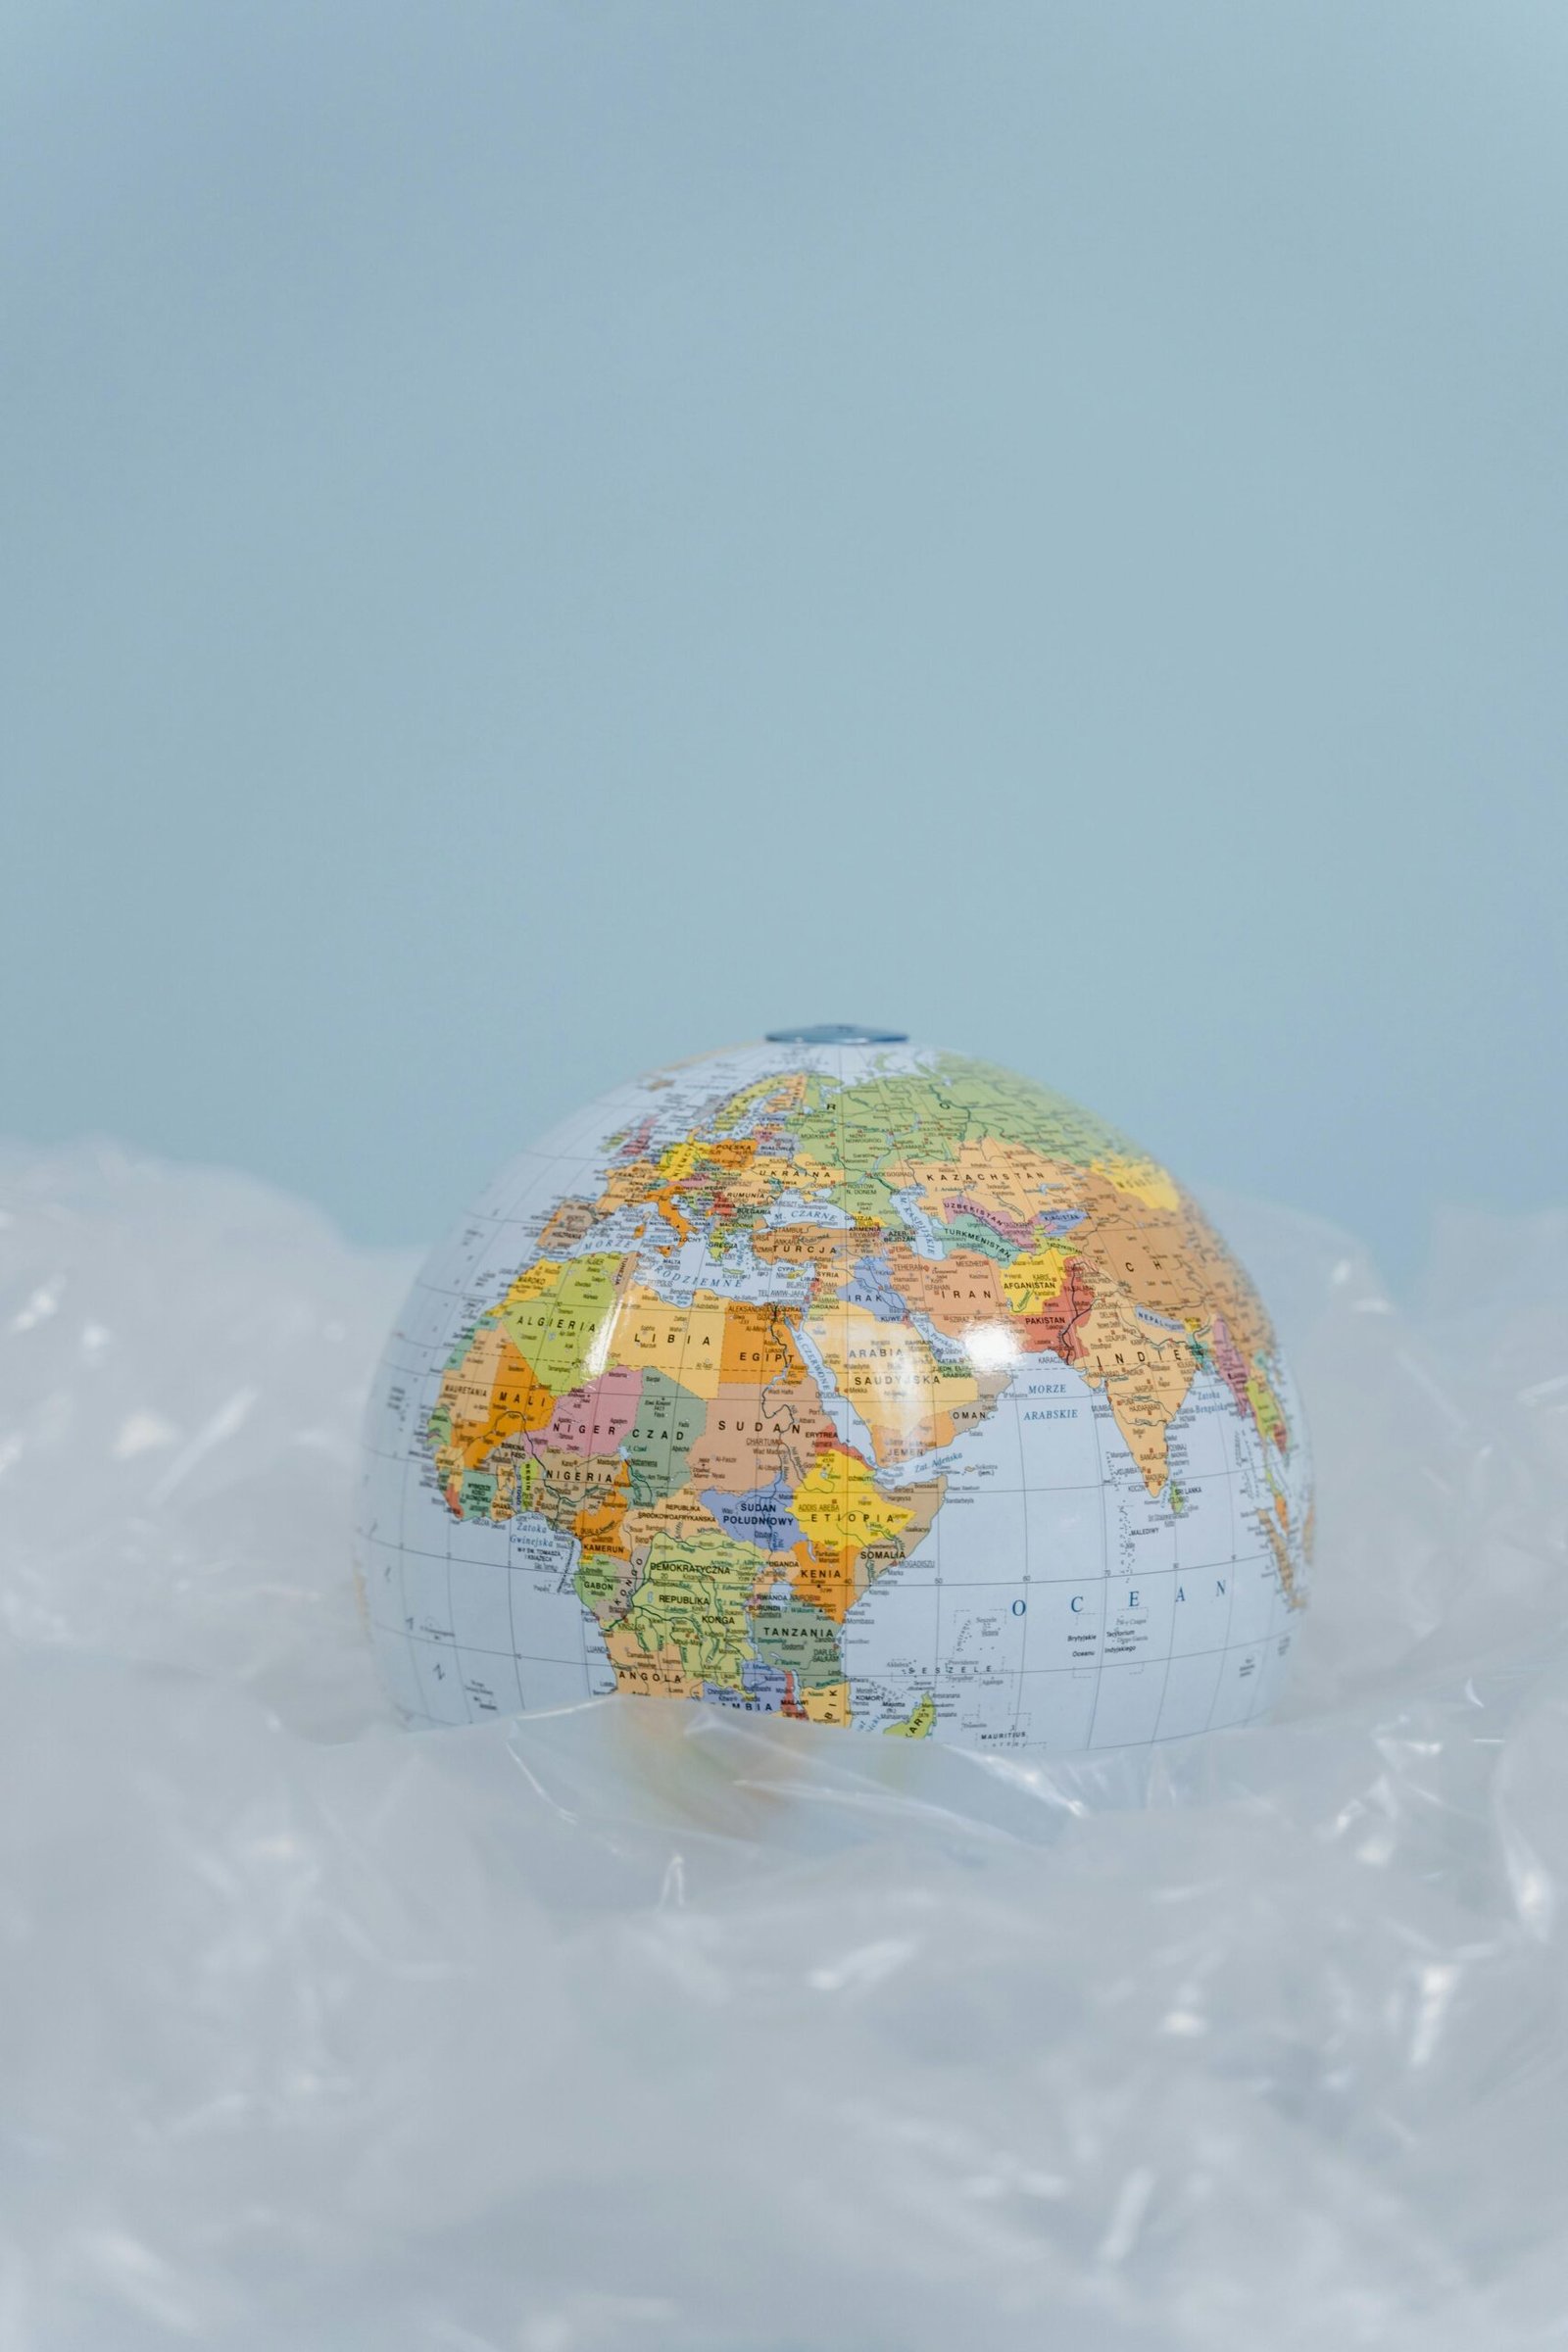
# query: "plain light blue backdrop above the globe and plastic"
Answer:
x=551 y=537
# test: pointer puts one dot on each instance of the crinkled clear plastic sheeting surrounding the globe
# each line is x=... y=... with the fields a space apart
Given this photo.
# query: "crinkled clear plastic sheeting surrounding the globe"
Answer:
x=645 y=2026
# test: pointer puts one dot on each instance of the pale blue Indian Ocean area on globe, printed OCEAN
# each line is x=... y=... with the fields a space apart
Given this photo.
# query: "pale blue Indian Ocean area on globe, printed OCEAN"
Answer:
x=1111 y=1657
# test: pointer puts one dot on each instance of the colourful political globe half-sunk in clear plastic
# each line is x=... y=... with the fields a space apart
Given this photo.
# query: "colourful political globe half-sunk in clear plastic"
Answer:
x=845 y=1379
